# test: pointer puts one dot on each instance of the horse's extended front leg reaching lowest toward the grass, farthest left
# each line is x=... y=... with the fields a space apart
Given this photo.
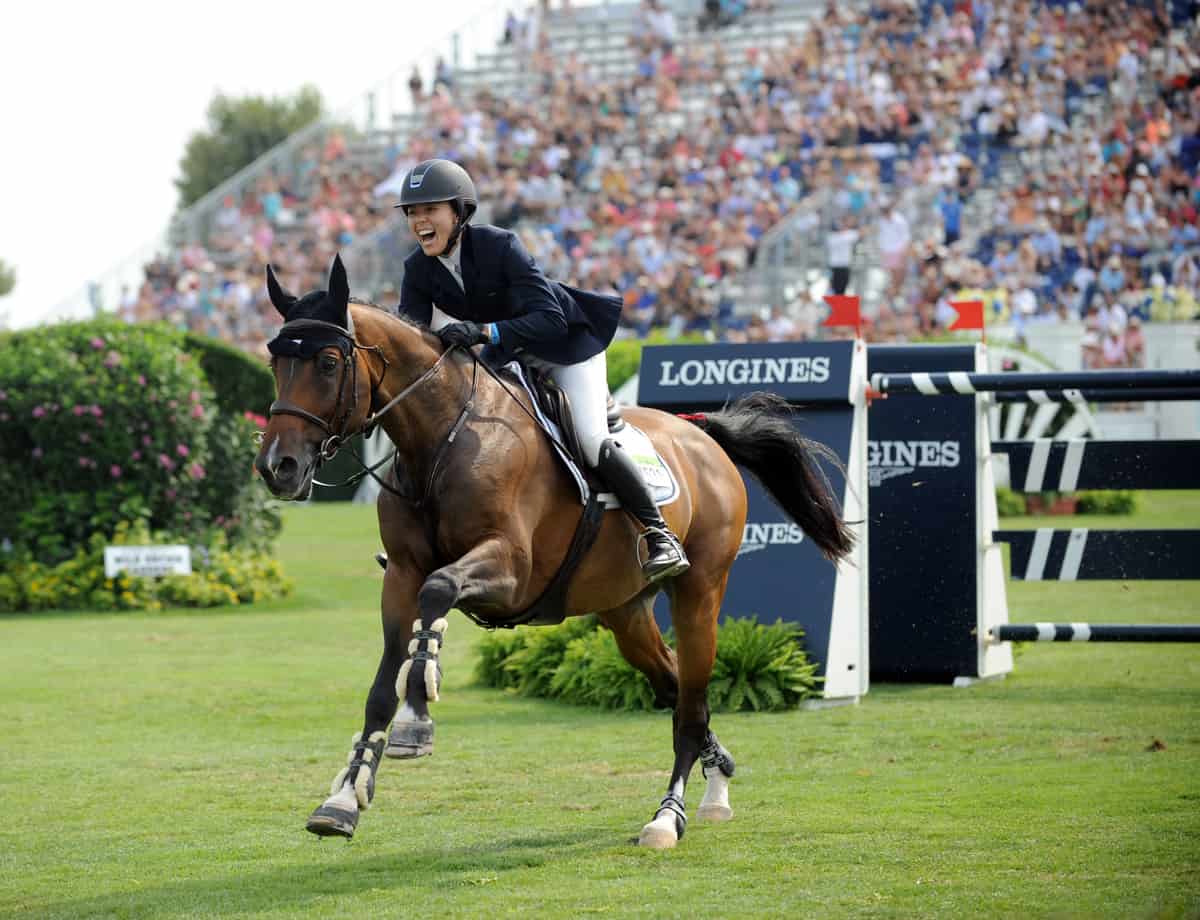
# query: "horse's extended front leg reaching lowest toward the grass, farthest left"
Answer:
x=355 y=786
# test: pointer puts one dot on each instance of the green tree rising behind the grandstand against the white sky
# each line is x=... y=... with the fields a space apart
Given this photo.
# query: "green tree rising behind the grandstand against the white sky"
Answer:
x=241 y=131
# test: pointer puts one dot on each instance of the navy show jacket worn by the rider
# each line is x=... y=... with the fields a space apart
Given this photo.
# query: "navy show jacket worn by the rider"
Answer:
x=506 y=286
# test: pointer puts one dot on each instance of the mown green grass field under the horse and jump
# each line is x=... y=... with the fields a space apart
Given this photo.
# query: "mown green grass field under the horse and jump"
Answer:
x=164 y=766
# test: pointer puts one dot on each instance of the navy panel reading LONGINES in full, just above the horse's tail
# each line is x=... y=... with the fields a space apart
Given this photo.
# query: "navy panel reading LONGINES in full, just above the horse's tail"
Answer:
x=710 y=376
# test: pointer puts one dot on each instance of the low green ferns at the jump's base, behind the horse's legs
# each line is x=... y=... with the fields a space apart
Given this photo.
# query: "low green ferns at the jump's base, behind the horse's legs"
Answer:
x=758 y=668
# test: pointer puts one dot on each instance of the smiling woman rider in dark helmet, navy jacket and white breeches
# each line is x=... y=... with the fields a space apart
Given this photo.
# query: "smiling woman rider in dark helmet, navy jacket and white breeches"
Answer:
x=477 y=285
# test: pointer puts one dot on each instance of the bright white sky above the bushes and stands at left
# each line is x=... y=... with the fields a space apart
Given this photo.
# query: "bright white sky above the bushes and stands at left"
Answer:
x=100 y=100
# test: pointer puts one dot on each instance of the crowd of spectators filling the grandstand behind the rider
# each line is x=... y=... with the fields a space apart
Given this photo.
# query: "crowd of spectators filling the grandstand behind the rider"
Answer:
x=1041 y=157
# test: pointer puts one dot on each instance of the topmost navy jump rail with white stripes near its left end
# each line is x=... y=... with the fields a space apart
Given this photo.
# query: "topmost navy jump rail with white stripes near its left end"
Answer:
x=963 y=383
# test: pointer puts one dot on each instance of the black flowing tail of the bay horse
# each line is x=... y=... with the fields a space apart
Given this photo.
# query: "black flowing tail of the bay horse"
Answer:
x=758 y=435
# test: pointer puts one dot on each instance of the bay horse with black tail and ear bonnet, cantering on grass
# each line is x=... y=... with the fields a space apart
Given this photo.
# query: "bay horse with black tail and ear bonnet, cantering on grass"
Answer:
x=478 y=514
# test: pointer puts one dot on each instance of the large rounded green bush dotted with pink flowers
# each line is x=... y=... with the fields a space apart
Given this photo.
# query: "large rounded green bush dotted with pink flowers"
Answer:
x=101 y=423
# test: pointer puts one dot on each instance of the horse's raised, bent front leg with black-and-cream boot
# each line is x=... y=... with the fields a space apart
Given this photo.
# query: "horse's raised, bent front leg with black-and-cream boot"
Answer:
x=487 y=574
